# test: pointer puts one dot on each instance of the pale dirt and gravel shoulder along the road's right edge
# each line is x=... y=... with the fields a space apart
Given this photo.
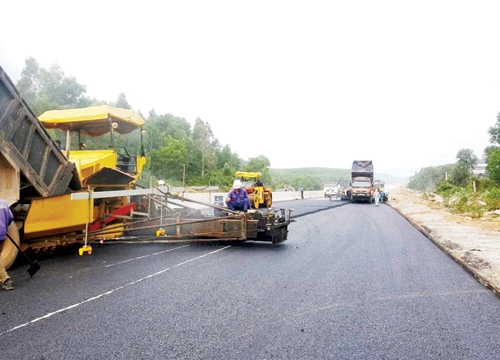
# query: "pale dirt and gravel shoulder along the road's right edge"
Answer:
x=474 y=243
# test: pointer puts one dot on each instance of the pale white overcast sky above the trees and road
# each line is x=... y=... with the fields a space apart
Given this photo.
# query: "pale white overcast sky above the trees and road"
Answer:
x=406 y=84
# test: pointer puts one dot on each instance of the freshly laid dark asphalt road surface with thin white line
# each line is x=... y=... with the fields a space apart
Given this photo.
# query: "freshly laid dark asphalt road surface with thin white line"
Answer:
x=353 y=281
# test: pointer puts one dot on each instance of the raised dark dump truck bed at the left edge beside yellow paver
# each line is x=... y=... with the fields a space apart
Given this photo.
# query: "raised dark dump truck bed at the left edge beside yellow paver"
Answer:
x=31 y=163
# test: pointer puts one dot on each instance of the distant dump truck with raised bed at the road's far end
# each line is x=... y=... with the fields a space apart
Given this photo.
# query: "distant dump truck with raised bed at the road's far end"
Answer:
x=361 y=185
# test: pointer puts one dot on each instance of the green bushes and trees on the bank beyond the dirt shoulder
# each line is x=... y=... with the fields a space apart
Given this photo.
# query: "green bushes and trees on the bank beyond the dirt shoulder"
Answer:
x=456 y=185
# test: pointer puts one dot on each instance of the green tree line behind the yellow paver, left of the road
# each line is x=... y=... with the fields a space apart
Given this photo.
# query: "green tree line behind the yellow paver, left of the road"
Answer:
x=177 y=152
